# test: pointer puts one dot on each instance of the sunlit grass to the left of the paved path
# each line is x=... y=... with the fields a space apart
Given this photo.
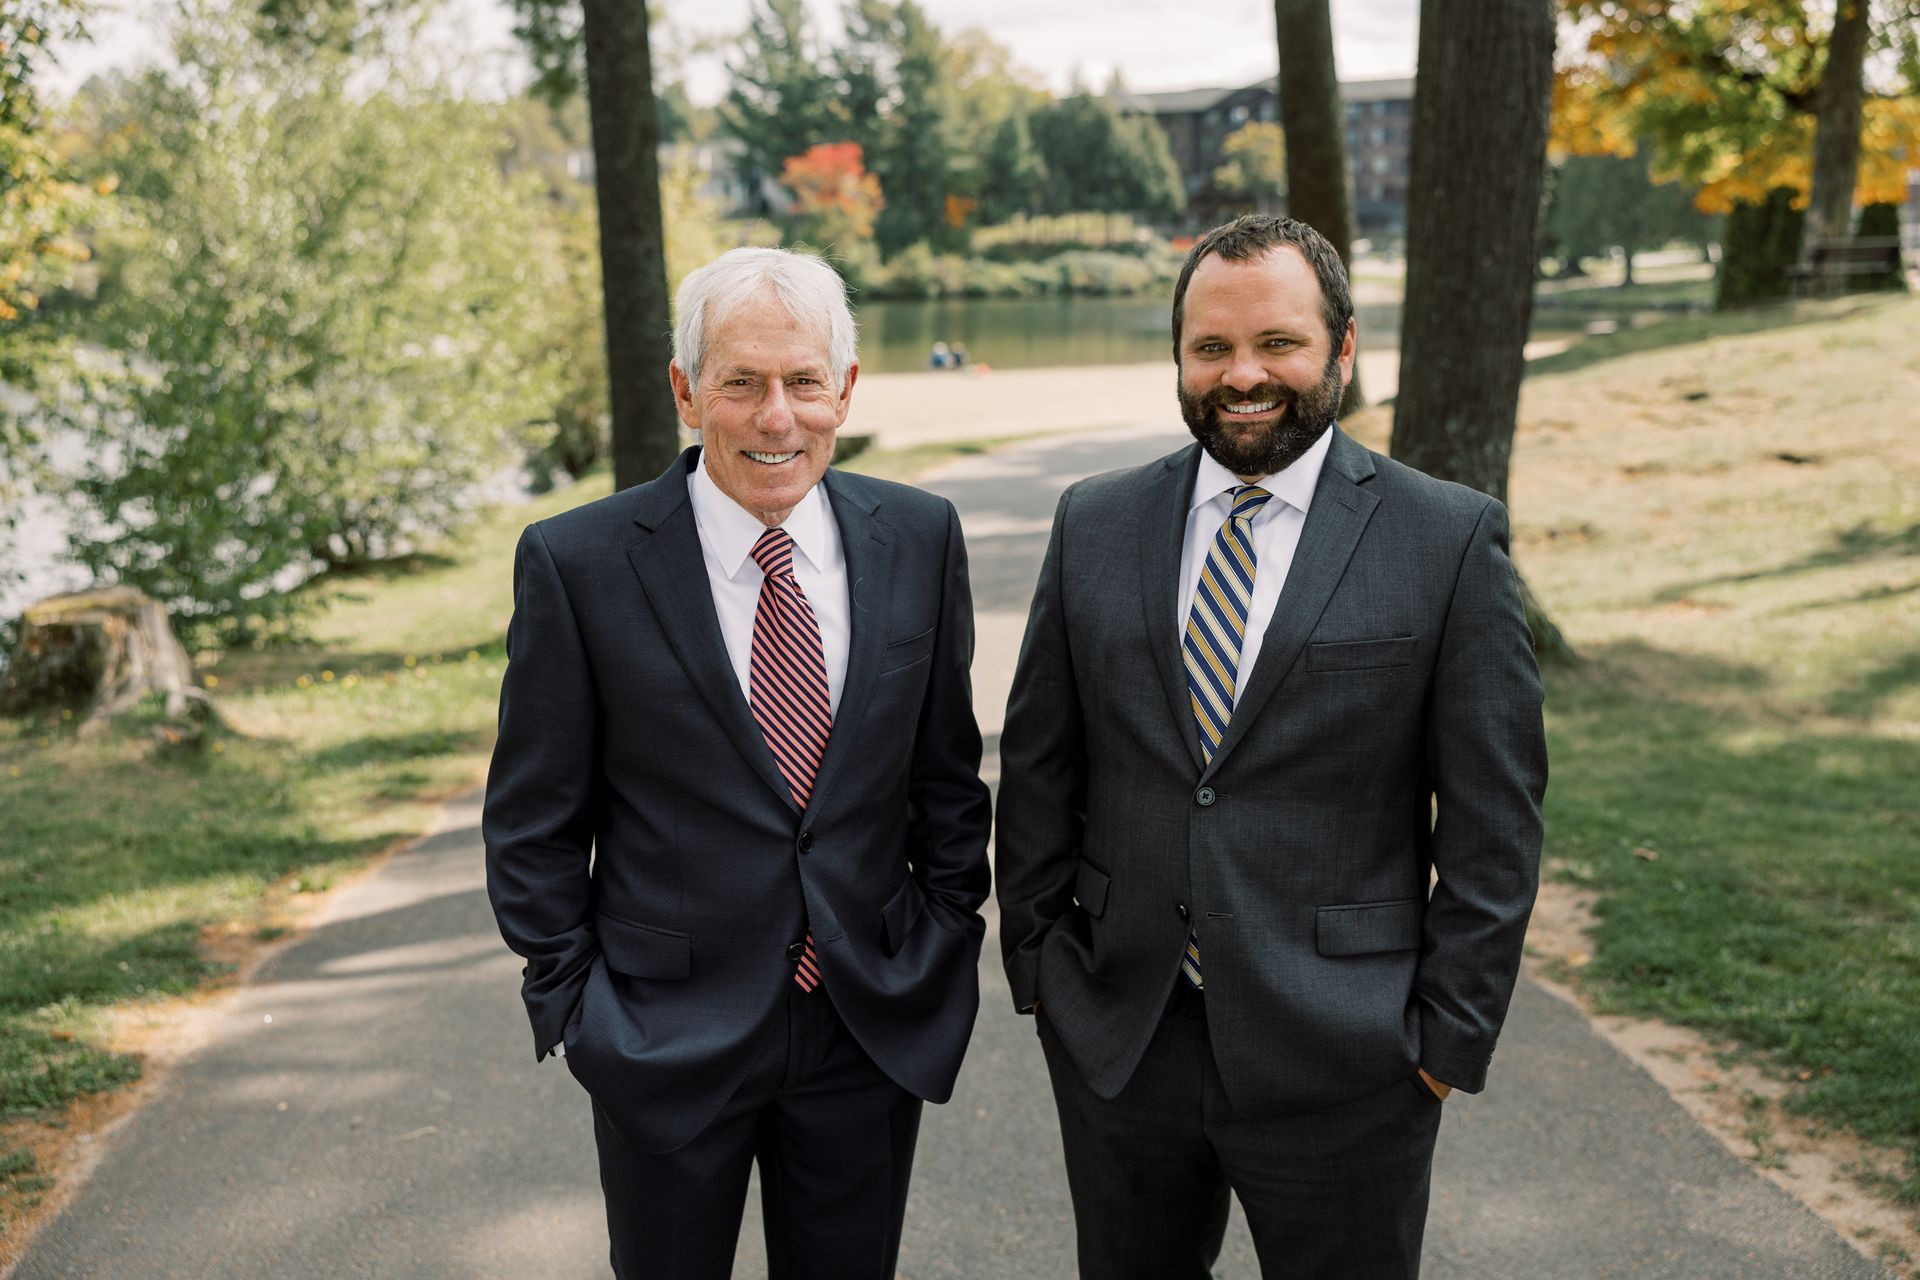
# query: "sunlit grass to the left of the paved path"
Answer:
x=133 y=872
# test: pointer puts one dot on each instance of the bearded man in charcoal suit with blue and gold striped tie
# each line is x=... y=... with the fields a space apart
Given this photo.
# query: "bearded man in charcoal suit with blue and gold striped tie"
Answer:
x=1270 y=803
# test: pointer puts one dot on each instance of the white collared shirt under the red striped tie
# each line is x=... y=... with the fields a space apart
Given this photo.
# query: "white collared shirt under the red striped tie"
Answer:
x=729 y=534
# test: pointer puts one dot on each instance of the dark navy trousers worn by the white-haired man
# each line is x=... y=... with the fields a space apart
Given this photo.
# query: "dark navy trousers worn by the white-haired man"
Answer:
x=834 y=1139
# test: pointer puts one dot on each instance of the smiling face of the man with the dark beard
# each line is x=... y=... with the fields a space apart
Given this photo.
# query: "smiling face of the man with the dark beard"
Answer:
x=1260 y=379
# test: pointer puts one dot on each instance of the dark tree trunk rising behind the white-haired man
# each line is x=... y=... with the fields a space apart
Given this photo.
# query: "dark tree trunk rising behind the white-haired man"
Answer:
x=627 y=178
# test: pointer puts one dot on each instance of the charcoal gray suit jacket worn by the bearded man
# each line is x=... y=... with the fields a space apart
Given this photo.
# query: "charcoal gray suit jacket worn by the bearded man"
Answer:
x=1397 y=675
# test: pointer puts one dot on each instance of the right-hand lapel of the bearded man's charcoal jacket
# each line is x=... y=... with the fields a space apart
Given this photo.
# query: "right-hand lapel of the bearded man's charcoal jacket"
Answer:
x=1335 y=521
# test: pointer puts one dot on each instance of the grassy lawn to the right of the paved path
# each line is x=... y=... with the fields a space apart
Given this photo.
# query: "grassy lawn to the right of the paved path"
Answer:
x=1725 y=519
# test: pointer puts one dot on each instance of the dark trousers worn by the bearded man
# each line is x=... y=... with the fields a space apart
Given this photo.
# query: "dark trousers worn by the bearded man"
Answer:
x=1337 y=1195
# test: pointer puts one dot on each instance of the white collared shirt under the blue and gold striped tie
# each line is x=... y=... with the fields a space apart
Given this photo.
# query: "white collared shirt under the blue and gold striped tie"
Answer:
x=1276 y=536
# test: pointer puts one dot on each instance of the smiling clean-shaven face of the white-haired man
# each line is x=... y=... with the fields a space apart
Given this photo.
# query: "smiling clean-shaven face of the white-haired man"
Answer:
x=765 y=408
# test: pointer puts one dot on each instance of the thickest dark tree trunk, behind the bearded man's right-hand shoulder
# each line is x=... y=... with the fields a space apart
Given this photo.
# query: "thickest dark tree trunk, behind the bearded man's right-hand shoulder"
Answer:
x=1476 y=178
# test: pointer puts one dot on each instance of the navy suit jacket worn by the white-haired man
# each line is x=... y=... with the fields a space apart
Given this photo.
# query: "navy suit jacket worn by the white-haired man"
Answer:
x=644 y=853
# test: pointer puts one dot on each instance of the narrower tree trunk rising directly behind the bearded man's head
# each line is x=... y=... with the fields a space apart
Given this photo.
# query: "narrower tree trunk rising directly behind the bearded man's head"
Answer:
x=1318 y=185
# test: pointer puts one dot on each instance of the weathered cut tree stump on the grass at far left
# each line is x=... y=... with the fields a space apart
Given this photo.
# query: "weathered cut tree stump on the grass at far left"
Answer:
x=105 y=652
